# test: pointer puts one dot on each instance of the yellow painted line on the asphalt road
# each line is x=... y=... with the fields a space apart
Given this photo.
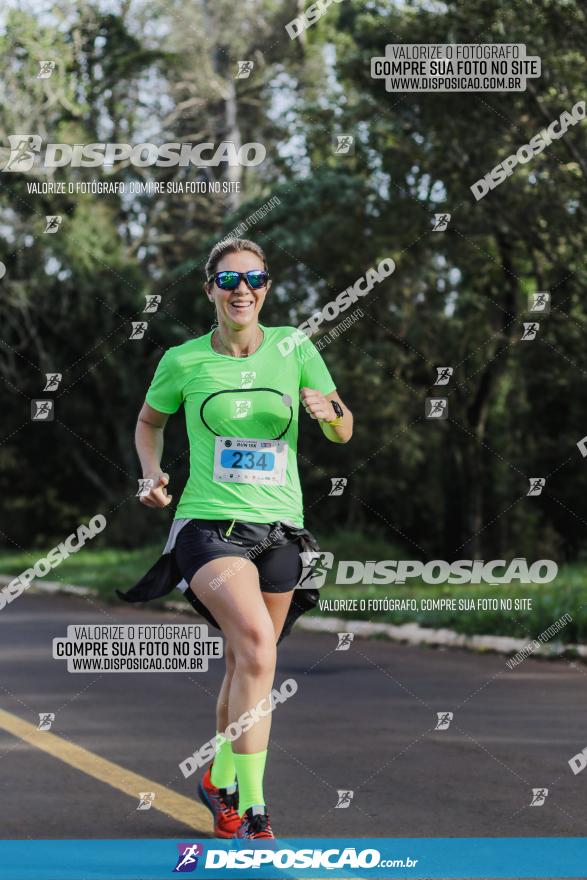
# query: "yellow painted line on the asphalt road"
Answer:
x=183 y=809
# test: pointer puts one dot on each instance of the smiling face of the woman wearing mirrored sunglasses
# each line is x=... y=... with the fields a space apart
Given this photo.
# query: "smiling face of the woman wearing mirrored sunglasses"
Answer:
x=239 y=307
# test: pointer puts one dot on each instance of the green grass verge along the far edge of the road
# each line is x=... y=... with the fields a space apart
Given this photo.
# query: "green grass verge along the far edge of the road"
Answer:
x=104 y=570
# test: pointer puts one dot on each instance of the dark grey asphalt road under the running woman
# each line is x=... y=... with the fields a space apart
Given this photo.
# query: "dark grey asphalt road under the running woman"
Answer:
x=362 y=720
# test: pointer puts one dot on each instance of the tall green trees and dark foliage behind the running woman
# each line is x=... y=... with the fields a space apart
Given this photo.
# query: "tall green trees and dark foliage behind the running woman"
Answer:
x=451 y=489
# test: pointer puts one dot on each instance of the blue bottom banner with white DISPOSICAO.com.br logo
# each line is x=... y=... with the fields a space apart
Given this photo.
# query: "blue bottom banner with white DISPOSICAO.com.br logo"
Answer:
x=414 y=858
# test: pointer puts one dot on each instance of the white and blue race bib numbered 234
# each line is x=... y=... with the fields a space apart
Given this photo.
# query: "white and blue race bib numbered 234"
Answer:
x=240 y=460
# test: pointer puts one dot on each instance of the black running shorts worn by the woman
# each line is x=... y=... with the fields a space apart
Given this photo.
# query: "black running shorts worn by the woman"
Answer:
x=276 y=556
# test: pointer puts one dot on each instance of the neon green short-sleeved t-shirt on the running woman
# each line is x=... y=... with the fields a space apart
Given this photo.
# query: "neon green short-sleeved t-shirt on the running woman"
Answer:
x=255 y=398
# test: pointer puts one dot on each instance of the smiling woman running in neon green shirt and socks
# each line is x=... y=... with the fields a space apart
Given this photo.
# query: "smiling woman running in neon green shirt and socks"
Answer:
x=241 y=391
